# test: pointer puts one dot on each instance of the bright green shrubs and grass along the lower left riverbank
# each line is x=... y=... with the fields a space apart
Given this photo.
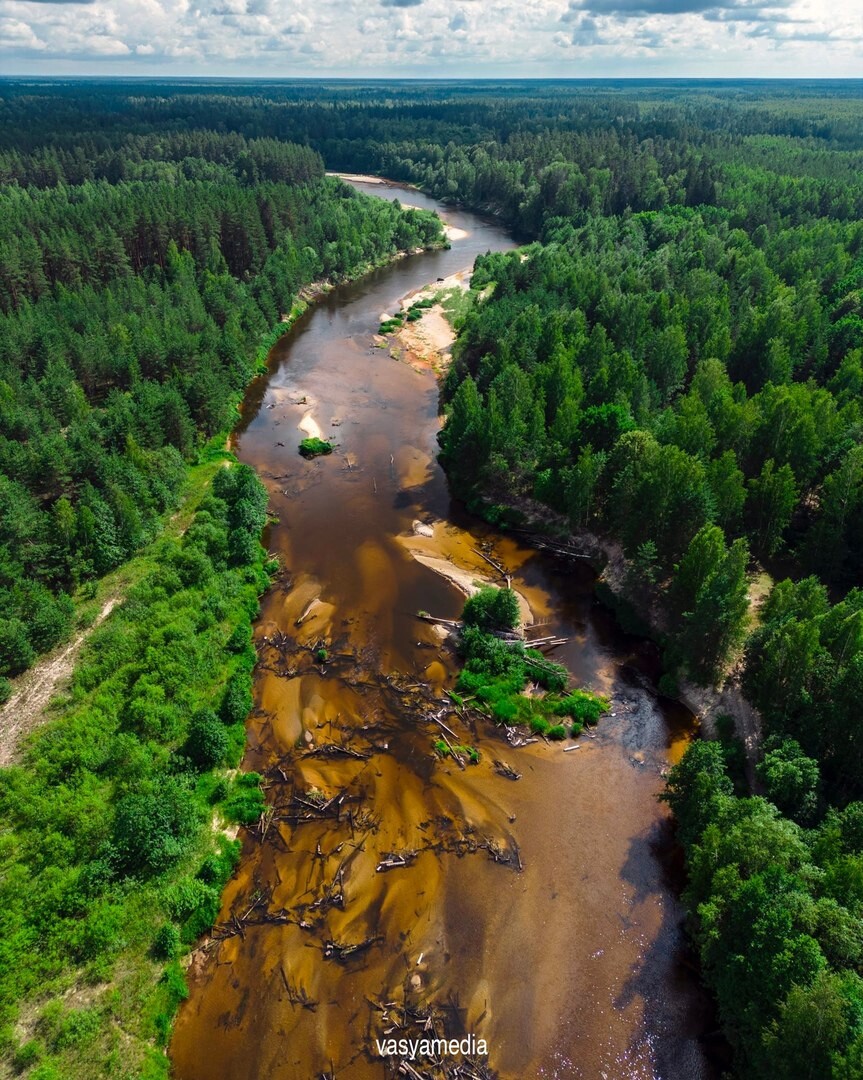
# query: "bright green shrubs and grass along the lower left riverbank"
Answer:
x=91 y=948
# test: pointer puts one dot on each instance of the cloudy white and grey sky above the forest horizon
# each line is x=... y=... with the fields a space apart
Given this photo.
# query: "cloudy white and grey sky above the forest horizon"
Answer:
x=435 y=38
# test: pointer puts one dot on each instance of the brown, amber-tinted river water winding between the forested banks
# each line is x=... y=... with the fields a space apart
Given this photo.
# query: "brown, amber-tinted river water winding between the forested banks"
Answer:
x=535 y=914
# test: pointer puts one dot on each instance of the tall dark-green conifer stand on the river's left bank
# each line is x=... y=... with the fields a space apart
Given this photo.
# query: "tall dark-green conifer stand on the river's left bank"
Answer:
x=130 y=319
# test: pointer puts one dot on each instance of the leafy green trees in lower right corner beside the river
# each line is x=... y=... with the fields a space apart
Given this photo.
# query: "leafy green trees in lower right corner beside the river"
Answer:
x=776 y=882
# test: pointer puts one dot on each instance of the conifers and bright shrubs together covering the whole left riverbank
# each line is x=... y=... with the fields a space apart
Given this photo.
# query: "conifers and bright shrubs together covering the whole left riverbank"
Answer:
x=138 y=301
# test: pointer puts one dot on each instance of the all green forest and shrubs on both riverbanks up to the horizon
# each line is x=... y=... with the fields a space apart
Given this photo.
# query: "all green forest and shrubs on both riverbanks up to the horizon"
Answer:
x=673 y=363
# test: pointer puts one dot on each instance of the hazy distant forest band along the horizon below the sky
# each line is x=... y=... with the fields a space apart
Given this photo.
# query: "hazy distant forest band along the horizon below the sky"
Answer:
x=528 y=152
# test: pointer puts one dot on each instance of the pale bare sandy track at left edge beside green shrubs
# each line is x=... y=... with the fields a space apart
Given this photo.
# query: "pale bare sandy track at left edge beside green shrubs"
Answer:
x=34 y=691
